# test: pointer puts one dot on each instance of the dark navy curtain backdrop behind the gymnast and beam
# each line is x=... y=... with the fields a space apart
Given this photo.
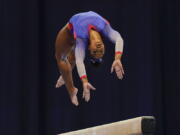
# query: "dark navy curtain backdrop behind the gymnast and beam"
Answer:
x=29 y=103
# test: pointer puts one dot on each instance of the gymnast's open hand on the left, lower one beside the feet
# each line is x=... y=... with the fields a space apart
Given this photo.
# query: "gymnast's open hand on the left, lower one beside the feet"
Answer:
x=86 y=90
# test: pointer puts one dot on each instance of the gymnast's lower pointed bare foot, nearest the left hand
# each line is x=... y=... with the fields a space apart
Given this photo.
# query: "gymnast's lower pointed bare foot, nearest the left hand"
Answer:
x=73 y=96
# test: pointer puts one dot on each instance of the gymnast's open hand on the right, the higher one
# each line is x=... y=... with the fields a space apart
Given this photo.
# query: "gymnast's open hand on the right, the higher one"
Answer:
x=117 y=66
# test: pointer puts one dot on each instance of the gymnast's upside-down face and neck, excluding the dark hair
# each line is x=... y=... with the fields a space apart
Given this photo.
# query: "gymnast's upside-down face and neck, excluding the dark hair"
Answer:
x=96 y=46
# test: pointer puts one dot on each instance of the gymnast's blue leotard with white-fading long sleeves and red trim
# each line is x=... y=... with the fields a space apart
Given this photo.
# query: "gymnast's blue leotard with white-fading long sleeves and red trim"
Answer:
x=80 y=24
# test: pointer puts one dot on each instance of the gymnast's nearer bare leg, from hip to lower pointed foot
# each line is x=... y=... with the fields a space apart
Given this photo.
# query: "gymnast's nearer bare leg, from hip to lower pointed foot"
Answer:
x=63 y=46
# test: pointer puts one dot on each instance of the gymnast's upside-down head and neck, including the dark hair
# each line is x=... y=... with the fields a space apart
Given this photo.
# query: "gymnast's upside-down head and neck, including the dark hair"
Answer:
x=96 y=48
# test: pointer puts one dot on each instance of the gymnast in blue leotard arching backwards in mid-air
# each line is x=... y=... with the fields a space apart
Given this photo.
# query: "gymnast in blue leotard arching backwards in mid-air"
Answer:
x=83 y=32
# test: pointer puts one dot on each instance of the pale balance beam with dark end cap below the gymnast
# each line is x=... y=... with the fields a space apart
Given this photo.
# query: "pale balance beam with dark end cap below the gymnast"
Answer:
x=144 y=125
